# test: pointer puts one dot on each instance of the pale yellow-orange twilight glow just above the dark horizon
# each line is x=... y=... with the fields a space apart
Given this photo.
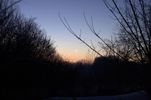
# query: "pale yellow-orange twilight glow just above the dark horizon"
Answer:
x=73 y=54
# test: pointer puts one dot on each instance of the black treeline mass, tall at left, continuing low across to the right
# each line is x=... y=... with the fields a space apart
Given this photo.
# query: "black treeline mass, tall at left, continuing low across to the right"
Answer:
x=30 y=67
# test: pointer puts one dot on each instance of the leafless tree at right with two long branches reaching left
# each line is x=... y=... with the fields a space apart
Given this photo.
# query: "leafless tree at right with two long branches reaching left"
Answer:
x=134 y=37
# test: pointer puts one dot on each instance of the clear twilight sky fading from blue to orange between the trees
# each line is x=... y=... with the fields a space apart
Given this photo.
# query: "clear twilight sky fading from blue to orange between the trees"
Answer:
x=46 y=14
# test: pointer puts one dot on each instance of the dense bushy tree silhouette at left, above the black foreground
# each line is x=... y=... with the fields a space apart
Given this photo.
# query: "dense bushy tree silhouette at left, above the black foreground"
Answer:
x=22 y=38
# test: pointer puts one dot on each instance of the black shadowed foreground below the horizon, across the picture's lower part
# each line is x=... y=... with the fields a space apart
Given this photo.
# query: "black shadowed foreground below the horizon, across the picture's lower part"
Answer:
x=35 y=80
